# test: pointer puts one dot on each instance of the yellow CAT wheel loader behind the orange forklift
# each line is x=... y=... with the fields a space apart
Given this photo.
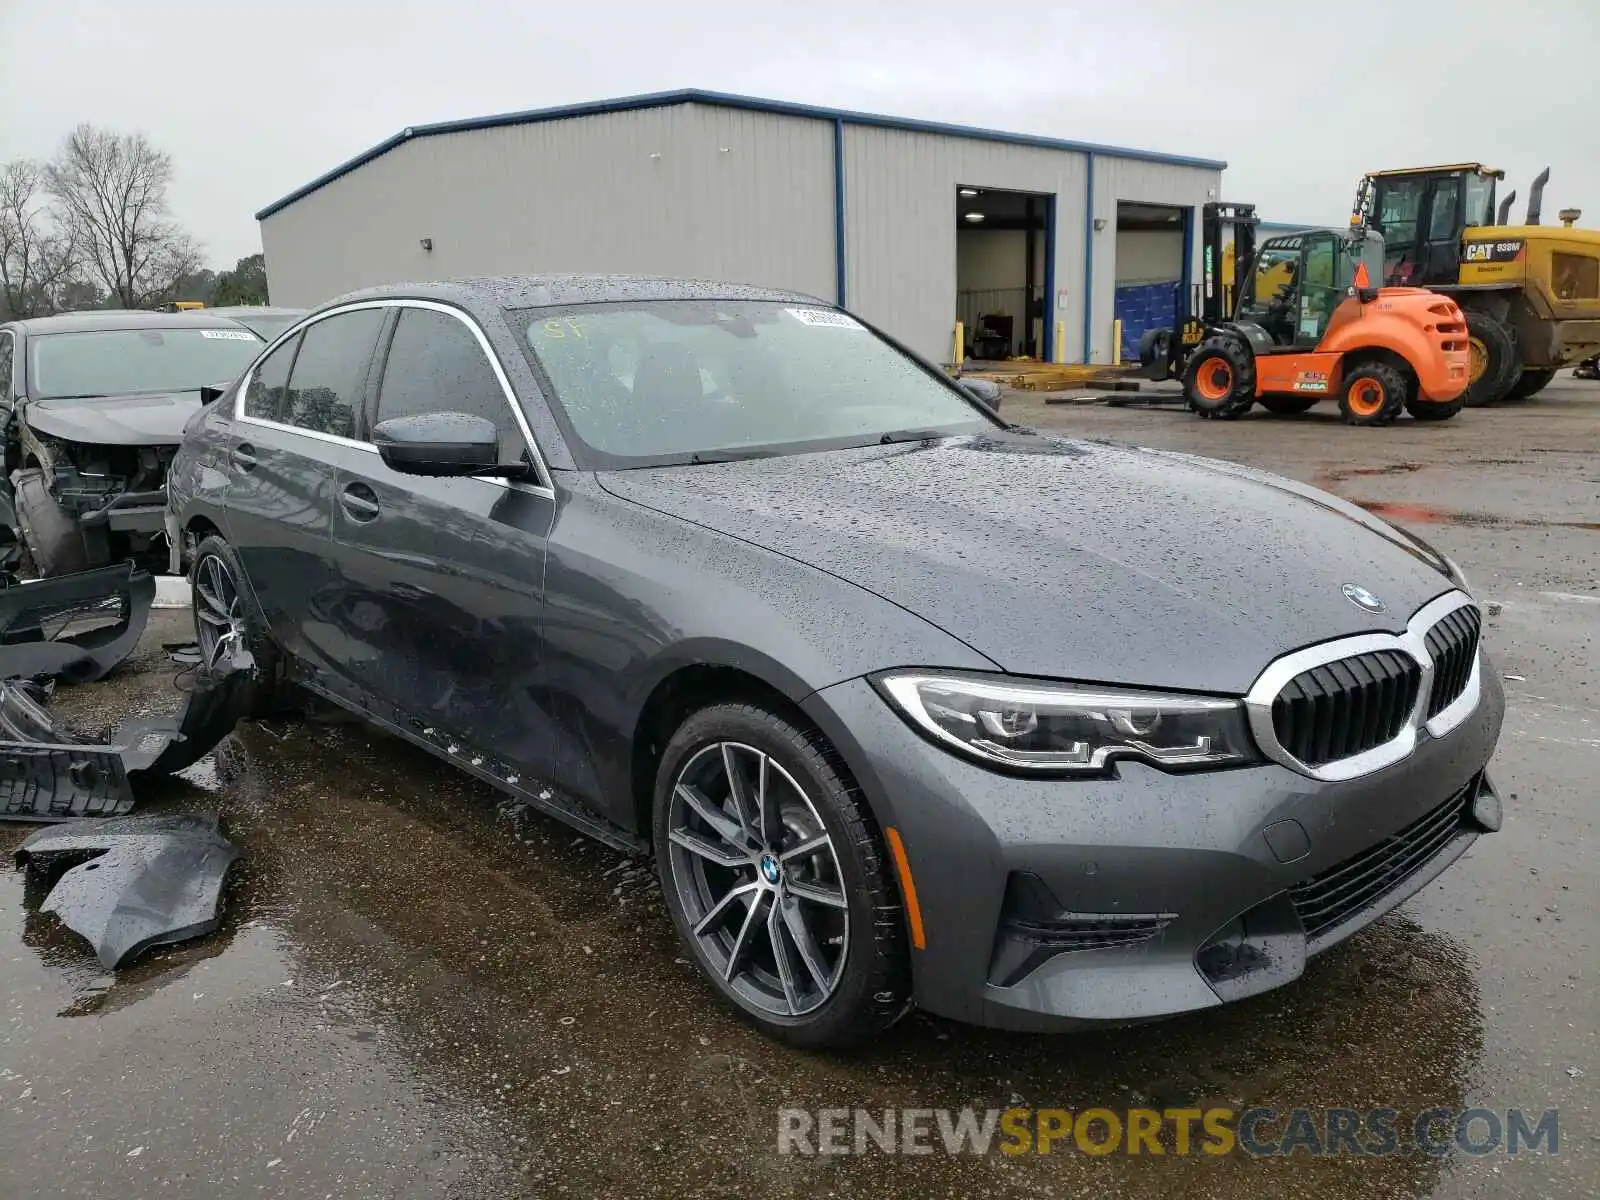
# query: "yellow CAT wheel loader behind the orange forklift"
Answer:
x=1530 y=292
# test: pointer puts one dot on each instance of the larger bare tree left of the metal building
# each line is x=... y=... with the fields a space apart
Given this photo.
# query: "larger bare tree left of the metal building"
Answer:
x=111 y=194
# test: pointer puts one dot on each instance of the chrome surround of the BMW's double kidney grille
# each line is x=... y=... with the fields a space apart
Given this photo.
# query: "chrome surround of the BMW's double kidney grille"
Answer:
x=1414 y=644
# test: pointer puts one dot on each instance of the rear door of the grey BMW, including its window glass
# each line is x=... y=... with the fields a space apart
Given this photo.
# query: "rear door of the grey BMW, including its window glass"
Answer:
x=300 y=410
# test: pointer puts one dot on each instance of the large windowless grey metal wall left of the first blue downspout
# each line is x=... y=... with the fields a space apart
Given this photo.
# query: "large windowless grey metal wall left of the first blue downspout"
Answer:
x=679 y=191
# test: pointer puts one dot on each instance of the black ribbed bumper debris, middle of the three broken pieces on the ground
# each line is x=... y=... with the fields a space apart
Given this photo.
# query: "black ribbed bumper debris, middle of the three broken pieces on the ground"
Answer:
x=54 y=774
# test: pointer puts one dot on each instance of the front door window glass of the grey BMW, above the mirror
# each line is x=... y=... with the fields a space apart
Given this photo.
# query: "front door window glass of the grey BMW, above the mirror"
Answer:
x=438 y=366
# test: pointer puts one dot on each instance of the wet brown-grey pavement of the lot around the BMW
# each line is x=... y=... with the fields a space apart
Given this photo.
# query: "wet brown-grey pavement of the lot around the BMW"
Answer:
x=418 y=993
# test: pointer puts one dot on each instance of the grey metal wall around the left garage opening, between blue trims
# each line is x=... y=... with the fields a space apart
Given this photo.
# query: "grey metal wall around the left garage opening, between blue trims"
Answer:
x=902 y=220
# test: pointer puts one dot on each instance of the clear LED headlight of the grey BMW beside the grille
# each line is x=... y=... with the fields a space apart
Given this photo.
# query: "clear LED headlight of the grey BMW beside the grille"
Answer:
x=1070 y=730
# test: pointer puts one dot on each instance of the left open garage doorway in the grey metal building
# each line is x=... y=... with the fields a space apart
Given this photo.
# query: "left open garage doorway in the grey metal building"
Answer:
x=1002 y=249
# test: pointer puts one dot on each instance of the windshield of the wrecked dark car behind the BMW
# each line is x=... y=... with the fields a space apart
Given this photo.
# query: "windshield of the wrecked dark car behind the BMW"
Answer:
x=118 y=362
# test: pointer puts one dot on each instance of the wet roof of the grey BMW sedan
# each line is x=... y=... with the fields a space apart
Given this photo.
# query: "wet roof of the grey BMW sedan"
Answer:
x=538 y=292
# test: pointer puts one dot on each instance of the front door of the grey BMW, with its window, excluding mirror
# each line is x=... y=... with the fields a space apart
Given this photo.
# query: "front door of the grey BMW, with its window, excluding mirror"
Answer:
x=442 y=580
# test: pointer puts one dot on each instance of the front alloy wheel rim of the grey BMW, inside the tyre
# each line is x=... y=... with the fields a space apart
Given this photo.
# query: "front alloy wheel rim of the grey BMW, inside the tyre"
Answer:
x=758 y=879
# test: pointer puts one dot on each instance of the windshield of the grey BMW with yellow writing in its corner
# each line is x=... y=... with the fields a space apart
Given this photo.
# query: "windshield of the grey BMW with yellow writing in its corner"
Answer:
x=682 y=382
